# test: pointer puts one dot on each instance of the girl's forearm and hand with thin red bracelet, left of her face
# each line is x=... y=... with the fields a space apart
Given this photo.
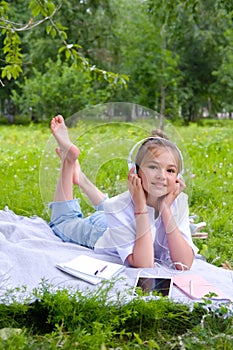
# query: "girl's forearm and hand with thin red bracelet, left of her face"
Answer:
x=143 y=251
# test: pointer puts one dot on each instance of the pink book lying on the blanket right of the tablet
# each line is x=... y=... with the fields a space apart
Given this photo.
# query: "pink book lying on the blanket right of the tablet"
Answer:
x=196 y=287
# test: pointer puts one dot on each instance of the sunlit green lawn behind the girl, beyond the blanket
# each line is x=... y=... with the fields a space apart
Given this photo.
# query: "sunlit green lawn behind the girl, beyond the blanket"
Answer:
x=29 y=170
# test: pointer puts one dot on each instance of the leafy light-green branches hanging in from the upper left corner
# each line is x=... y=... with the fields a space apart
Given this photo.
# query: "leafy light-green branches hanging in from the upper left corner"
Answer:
x=46 y=15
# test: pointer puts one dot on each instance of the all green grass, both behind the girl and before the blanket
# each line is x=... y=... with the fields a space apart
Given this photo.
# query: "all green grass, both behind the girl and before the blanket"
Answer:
x=29 y=169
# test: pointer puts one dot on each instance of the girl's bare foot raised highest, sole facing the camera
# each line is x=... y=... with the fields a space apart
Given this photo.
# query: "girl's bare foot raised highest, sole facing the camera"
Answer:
x=59 y=130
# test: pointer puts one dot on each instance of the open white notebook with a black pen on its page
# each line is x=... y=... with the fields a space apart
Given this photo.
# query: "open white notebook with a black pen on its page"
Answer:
x=90 y=269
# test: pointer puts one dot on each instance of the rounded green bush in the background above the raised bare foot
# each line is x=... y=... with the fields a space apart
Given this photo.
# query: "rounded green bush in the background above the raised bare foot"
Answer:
x=60 y=89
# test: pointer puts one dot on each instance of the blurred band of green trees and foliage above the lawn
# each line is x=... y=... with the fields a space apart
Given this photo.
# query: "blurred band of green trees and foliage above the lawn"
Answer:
x=63 y=56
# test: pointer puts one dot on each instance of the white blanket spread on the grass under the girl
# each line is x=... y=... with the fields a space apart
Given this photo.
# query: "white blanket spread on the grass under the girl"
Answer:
x=29 y=251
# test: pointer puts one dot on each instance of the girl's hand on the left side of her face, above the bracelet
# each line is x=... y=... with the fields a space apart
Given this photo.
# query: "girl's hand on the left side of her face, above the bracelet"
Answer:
x=136 y=190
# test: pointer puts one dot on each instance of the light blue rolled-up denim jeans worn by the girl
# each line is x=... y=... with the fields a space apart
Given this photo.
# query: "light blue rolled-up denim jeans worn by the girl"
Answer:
x=67 y=222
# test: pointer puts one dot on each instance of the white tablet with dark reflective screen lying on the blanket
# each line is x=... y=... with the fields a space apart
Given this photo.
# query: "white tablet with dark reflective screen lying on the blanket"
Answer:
x=160 y=285
